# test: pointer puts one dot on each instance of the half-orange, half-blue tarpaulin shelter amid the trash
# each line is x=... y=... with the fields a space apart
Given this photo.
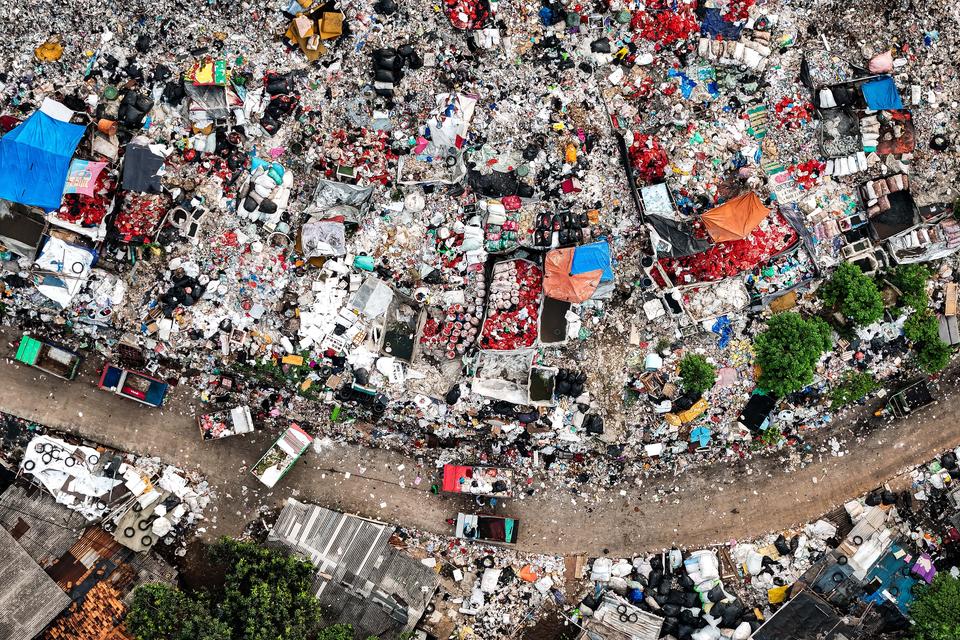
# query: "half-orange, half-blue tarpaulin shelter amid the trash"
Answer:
x=573 y=274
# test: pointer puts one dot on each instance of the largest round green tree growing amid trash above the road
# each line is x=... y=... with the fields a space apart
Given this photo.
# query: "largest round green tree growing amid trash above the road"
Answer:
x=788 y=351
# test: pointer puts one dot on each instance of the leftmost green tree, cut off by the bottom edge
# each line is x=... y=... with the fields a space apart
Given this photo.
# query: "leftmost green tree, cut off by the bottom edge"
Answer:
x=161 y=612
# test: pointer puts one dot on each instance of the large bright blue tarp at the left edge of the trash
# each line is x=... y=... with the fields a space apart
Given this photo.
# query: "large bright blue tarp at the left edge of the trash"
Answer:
x=34 y=160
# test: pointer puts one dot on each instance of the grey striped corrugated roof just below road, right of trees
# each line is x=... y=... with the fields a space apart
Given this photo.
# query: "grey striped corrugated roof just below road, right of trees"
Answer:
x=360 y=578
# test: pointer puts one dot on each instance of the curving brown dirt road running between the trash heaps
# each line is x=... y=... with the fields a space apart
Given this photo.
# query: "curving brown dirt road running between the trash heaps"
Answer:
x=712 y=504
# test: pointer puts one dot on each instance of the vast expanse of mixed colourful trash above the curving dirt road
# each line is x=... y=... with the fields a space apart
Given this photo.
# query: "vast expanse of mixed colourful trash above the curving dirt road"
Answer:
x=412 y=226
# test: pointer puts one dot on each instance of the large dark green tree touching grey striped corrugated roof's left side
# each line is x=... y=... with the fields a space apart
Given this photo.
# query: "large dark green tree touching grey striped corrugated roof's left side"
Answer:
x=267 y=593
